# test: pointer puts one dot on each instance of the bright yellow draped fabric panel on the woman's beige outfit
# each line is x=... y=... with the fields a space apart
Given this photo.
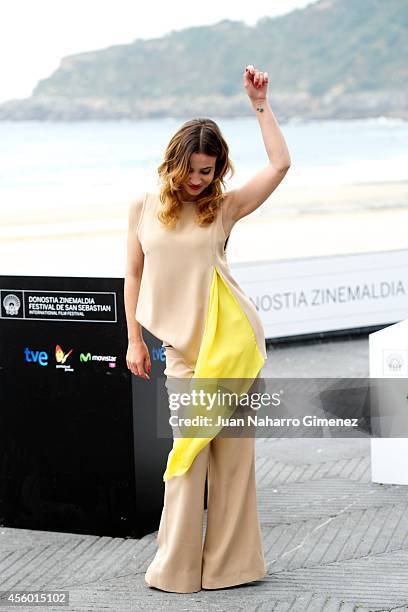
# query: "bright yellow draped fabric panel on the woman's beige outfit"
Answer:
x=229 y=352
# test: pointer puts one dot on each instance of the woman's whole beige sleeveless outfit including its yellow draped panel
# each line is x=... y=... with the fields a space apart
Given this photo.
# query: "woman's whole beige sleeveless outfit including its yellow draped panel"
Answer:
x=185 y=269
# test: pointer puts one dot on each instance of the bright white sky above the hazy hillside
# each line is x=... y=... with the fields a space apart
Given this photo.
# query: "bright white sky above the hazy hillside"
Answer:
x=36 y=34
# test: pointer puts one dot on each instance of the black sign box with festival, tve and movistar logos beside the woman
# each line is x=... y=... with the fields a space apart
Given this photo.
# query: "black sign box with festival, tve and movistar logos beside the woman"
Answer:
x=78 y=444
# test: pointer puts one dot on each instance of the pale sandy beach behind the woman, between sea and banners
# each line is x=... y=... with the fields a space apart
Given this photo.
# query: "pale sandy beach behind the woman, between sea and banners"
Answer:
x=294 y=223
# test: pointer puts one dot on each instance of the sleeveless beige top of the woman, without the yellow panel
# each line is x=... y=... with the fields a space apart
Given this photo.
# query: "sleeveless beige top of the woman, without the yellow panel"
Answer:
x=176 y=279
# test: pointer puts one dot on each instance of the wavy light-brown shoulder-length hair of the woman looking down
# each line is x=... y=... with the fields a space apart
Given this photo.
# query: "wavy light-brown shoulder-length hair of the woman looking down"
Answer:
x=200 y=135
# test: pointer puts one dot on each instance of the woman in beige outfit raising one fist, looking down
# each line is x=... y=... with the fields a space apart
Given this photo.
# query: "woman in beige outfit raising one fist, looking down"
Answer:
x=179 y=287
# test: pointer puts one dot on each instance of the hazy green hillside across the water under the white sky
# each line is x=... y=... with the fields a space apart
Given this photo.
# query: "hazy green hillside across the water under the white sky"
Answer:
x=331 y=49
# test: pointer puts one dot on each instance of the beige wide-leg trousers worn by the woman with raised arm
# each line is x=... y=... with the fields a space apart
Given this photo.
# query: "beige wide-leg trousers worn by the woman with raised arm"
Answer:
x=232 y=552
